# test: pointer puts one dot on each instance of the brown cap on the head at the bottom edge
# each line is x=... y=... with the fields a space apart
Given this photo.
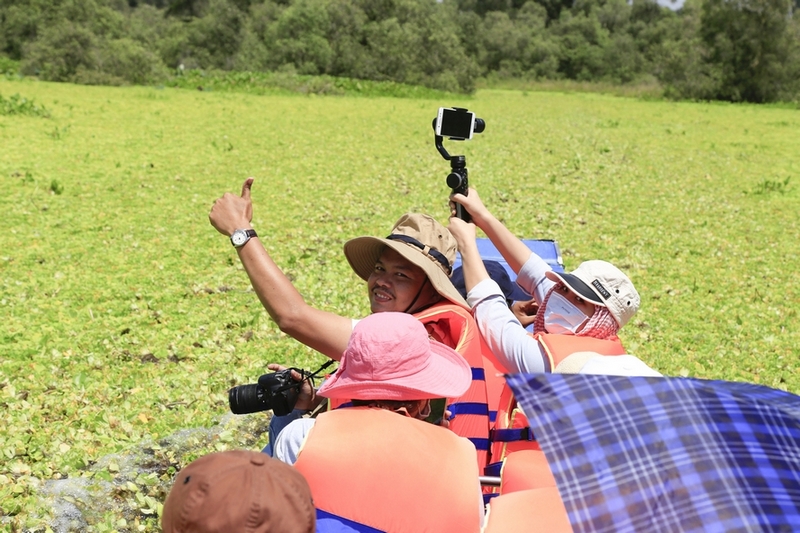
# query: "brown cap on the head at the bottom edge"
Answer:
x=239 y=491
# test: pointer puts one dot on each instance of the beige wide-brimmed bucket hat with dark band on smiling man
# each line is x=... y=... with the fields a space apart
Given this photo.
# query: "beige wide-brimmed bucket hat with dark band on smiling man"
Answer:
x=422 y=241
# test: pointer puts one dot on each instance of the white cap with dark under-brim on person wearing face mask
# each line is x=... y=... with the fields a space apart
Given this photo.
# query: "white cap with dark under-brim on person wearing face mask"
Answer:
x=603 y=284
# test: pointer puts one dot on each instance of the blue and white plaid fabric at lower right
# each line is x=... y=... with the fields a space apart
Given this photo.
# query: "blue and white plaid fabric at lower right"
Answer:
x=645 y=454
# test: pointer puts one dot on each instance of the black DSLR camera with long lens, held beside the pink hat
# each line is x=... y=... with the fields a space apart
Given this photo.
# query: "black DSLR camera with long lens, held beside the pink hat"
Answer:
x=277 y=391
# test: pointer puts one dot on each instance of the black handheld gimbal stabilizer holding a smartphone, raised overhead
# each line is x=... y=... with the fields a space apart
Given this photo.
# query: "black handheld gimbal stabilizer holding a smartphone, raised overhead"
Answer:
x=458 y=124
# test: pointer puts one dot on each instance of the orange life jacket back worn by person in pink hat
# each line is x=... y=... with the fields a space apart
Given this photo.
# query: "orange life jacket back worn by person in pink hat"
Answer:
x=371 y=468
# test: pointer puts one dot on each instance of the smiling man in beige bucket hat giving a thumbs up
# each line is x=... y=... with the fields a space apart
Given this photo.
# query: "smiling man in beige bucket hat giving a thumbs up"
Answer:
x=408 y=271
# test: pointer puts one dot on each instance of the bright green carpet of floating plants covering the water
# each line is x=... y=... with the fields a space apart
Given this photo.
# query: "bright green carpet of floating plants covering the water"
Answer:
x=125 y=316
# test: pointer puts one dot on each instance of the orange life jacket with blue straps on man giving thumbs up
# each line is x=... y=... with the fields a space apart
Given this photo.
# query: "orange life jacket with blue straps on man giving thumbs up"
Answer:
x=455 y=327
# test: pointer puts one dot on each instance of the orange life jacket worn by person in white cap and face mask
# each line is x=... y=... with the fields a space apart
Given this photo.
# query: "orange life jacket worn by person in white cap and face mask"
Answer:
x=511 y=430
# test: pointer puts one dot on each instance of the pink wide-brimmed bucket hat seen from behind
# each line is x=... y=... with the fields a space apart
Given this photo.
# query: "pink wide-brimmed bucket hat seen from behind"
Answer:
x=390 y=357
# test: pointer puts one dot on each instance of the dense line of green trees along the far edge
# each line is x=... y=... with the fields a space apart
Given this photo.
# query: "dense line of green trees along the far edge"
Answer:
x=735 y=50
